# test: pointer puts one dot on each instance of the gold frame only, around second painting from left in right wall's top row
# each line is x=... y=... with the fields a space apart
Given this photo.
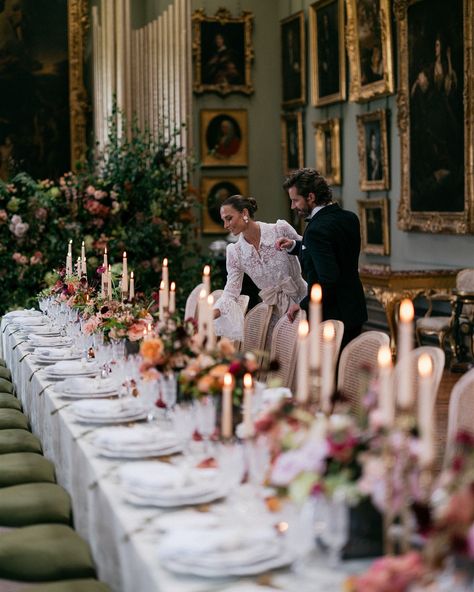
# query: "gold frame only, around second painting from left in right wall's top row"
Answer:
x=316 y=100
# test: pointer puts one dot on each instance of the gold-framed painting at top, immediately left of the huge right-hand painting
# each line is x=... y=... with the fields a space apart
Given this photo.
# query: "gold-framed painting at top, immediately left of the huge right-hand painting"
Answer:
x=369 y=47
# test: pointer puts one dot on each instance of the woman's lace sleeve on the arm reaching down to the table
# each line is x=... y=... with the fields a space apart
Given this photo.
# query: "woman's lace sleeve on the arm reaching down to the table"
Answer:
x=231 y=322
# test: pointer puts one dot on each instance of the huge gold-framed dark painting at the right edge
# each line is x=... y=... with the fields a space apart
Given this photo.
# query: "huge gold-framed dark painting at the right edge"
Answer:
x=436 y=115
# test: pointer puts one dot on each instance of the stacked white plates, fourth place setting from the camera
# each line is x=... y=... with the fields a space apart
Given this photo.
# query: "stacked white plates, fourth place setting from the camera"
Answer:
x=109 y=412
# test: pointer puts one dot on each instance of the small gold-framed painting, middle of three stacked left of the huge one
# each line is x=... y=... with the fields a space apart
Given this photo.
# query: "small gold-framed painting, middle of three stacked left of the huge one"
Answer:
x=373 y=151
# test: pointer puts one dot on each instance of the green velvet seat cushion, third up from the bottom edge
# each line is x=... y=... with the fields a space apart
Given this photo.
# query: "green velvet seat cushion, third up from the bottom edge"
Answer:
x=34 y=503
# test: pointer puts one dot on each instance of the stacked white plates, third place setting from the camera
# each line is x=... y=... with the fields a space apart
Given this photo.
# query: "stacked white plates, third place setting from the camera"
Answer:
x=136 y=442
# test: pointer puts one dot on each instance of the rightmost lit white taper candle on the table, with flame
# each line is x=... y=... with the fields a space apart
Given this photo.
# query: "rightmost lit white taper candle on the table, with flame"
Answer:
x=425 y=409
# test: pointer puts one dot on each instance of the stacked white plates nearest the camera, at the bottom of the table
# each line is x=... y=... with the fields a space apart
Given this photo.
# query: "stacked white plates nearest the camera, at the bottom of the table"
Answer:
x=224 y=551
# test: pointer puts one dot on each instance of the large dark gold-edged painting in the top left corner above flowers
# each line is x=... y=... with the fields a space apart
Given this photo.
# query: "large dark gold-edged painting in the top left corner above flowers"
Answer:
x=43 y=101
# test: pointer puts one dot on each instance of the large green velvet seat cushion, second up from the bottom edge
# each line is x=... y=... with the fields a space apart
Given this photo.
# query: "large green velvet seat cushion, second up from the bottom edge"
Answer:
x=44 y=553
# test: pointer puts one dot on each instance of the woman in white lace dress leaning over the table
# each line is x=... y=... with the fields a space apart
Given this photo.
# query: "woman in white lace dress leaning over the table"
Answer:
x=274 y=272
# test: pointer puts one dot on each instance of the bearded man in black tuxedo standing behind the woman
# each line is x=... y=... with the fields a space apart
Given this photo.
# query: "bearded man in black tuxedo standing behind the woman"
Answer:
x=329 y=251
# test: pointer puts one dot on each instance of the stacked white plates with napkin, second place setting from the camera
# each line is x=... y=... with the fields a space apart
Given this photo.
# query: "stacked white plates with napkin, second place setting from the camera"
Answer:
x=166 y=486
